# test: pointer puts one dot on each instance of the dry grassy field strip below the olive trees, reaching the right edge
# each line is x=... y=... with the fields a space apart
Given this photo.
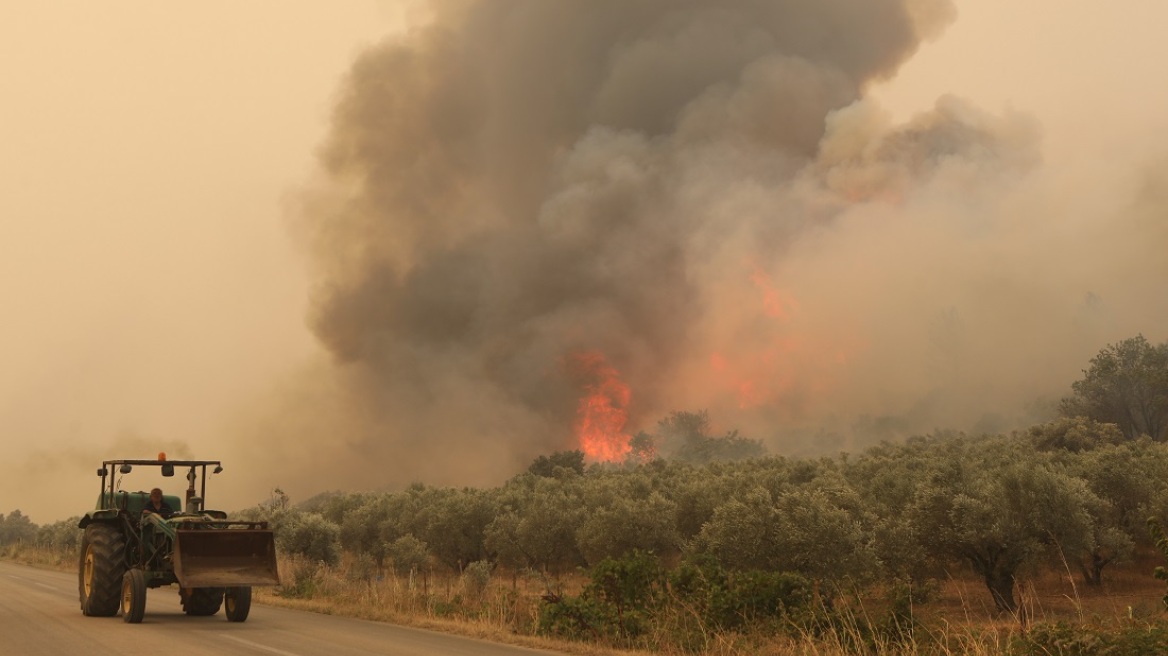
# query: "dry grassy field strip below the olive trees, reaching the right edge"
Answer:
x=1063 y=617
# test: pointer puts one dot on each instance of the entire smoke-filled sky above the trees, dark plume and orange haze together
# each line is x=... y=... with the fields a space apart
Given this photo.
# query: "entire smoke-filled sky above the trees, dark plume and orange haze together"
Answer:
x=359 y=247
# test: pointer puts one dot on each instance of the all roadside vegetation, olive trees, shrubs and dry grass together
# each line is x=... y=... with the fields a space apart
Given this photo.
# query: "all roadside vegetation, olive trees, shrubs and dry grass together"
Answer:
x=1035 y=542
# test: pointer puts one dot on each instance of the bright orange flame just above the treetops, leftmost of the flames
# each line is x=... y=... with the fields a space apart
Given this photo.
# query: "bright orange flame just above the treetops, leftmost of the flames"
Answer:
x=602 y=413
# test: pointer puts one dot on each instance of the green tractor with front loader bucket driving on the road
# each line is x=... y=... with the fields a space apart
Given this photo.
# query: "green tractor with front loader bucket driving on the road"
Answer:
x=128 y=548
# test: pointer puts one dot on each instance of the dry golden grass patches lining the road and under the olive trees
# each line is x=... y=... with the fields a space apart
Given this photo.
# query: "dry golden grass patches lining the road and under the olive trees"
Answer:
x=958 y=620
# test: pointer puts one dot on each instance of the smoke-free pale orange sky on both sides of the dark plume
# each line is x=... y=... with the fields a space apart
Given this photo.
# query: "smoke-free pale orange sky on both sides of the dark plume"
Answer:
x=151 y=290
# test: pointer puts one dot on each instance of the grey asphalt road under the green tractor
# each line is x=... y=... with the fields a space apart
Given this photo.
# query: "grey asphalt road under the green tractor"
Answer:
x=40 y=616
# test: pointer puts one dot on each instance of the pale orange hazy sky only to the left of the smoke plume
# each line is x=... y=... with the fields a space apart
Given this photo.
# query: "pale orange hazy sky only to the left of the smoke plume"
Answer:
x=148 y=280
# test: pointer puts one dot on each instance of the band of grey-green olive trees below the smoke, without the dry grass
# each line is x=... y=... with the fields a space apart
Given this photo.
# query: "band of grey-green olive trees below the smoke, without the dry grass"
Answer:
x=1076 y=491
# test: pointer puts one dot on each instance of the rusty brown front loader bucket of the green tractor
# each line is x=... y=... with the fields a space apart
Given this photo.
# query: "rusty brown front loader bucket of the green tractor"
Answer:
x=226 y=557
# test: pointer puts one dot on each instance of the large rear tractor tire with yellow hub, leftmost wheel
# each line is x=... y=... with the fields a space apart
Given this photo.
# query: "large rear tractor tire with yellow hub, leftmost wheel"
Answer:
x=100 y=570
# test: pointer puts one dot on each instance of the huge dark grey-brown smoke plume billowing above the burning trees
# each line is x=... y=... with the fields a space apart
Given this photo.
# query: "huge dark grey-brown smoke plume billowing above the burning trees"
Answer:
x=697 y=191
